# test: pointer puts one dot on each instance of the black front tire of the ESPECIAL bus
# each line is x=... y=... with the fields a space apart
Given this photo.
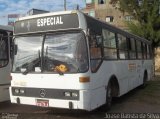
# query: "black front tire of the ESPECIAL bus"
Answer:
x=109 y=96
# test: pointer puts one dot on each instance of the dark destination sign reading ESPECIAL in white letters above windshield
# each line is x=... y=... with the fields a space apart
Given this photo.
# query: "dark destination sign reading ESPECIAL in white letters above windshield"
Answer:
x=48 y=23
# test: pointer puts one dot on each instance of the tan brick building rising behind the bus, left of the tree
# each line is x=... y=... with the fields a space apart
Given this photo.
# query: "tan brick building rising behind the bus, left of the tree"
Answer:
x=105 y=11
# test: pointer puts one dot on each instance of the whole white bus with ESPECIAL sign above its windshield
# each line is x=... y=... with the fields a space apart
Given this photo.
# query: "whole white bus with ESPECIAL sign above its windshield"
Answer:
x=71 y=60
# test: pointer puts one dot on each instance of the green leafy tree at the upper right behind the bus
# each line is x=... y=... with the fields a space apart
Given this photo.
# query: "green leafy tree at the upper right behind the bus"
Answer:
x=146 y=15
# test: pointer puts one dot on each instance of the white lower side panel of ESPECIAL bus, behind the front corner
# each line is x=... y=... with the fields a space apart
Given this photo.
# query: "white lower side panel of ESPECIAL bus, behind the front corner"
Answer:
x=128 y=77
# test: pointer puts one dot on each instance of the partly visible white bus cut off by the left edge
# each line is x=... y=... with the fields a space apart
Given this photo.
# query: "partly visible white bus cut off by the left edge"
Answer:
x=5 y=40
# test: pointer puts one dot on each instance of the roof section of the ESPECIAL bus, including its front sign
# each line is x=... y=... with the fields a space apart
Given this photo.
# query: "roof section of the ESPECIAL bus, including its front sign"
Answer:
x=72 y=20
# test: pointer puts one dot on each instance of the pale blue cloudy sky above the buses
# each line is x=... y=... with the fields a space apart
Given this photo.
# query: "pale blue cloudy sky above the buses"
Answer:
x=23 y=6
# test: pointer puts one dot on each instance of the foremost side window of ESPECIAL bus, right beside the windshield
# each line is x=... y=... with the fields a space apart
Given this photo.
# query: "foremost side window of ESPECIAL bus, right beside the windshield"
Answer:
x=95 y=54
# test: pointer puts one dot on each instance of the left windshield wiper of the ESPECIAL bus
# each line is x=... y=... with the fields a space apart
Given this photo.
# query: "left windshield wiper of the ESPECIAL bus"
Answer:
x=31 y=64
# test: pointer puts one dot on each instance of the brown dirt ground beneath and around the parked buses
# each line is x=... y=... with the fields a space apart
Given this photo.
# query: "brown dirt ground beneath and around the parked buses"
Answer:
x=141 y=101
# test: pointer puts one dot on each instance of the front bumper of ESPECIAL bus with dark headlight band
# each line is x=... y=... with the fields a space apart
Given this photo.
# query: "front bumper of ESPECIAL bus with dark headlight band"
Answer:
x=55 y=98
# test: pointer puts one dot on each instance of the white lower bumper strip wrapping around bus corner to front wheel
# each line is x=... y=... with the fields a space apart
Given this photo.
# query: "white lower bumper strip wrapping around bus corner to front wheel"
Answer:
x=89 y=100
